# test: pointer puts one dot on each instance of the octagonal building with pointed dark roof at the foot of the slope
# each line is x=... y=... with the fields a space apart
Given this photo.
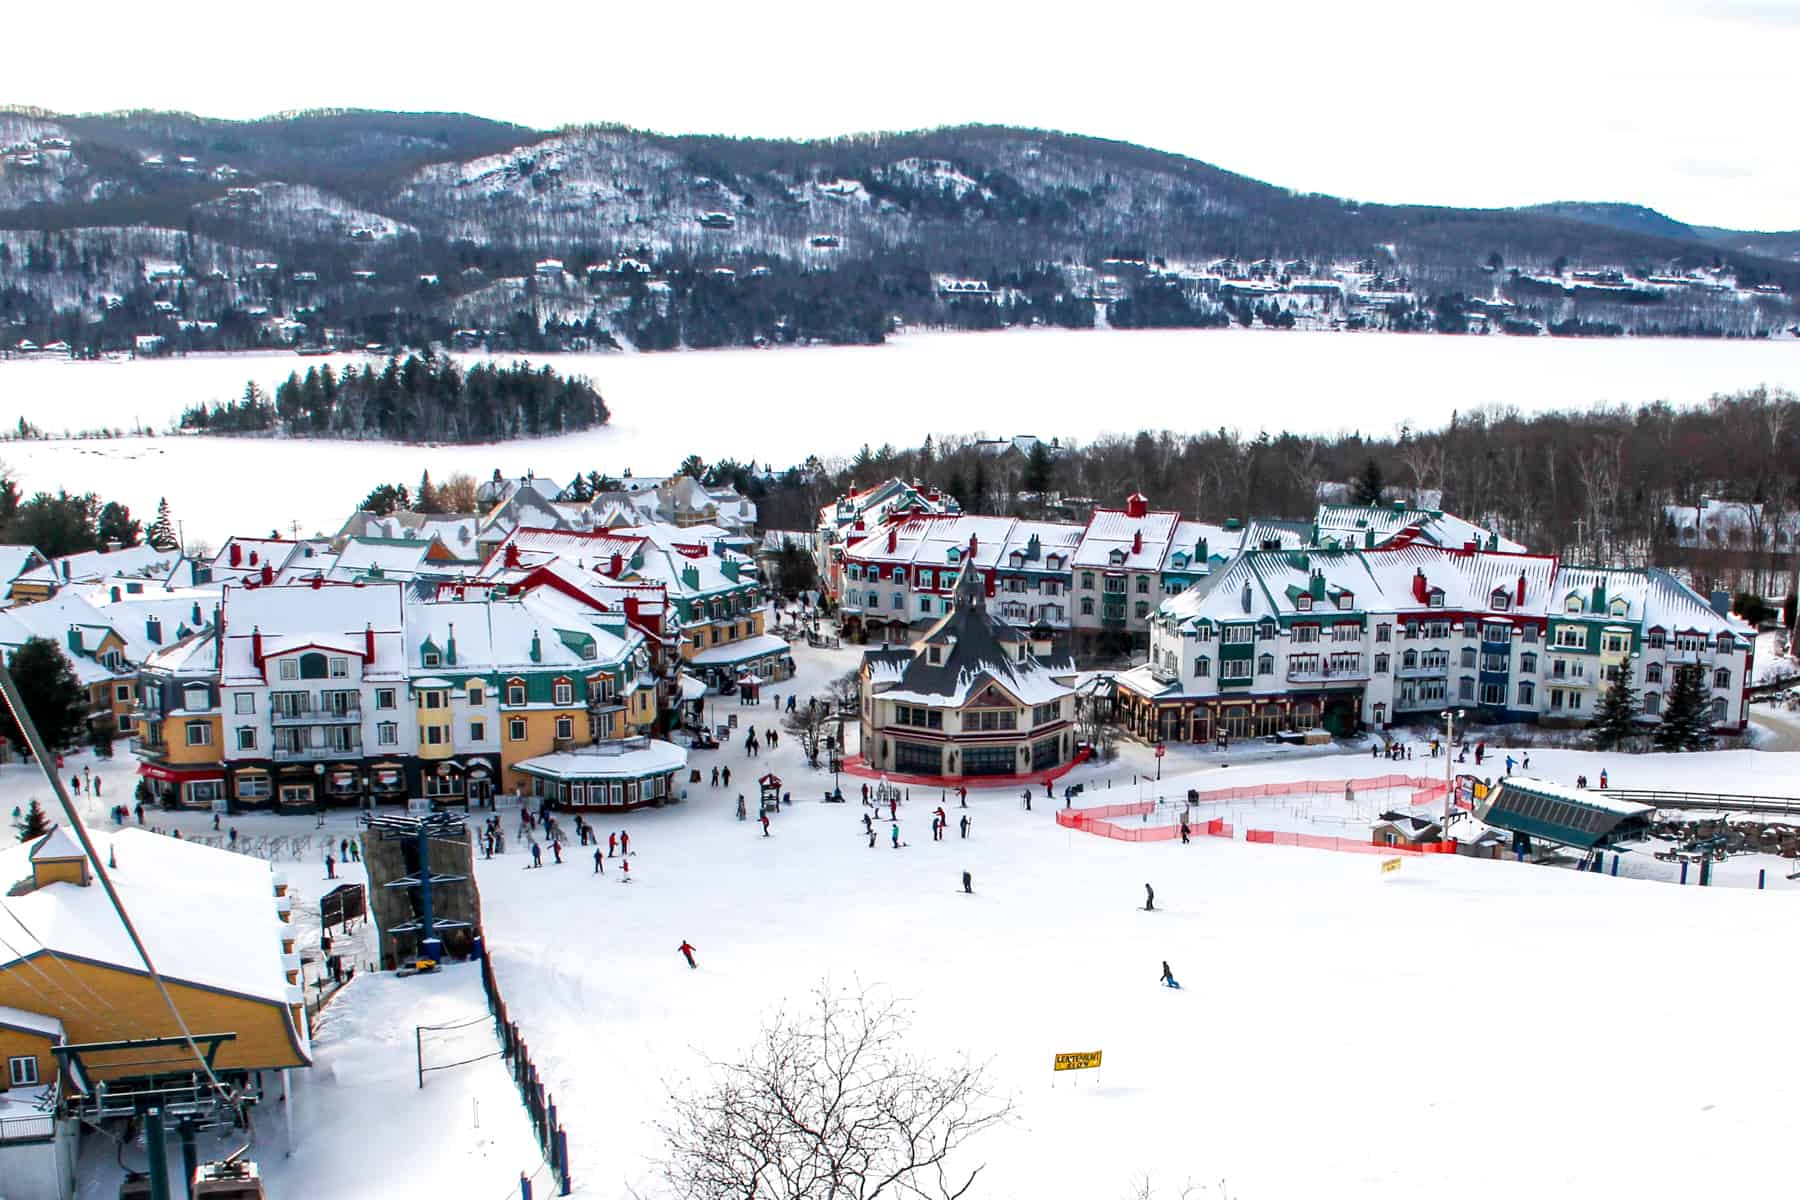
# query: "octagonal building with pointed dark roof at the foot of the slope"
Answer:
x=971 y=697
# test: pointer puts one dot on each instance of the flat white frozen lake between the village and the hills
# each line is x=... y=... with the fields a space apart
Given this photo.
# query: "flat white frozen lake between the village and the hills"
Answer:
x=782 y=406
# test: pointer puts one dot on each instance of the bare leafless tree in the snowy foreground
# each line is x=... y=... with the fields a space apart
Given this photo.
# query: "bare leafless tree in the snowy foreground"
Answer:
x=831 y=1106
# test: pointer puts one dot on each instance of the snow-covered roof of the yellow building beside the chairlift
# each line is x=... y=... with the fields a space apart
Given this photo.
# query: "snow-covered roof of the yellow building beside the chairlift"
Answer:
x=166 y=884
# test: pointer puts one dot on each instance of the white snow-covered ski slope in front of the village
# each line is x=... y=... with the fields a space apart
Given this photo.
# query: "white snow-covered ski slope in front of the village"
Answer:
x=1331 y=1019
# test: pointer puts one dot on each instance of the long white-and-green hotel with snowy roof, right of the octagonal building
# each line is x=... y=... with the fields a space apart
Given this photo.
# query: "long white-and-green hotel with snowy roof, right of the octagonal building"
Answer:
x=1288 y=641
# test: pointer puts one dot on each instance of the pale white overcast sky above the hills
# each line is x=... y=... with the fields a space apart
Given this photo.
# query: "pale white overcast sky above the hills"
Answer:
x=1682 y=107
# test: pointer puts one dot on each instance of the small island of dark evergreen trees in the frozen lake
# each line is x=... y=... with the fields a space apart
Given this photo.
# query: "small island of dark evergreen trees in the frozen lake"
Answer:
x=422 y=399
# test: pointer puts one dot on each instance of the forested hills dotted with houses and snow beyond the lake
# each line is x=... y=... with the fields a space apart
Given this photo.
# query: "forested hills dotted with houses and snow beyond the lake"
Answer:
x=165 y=233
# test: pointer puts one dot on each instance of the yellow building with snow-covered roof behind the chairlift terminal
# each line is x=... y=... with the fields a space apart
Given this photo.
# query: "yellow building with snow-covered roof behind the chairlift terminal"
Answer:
x=103 y=1041
